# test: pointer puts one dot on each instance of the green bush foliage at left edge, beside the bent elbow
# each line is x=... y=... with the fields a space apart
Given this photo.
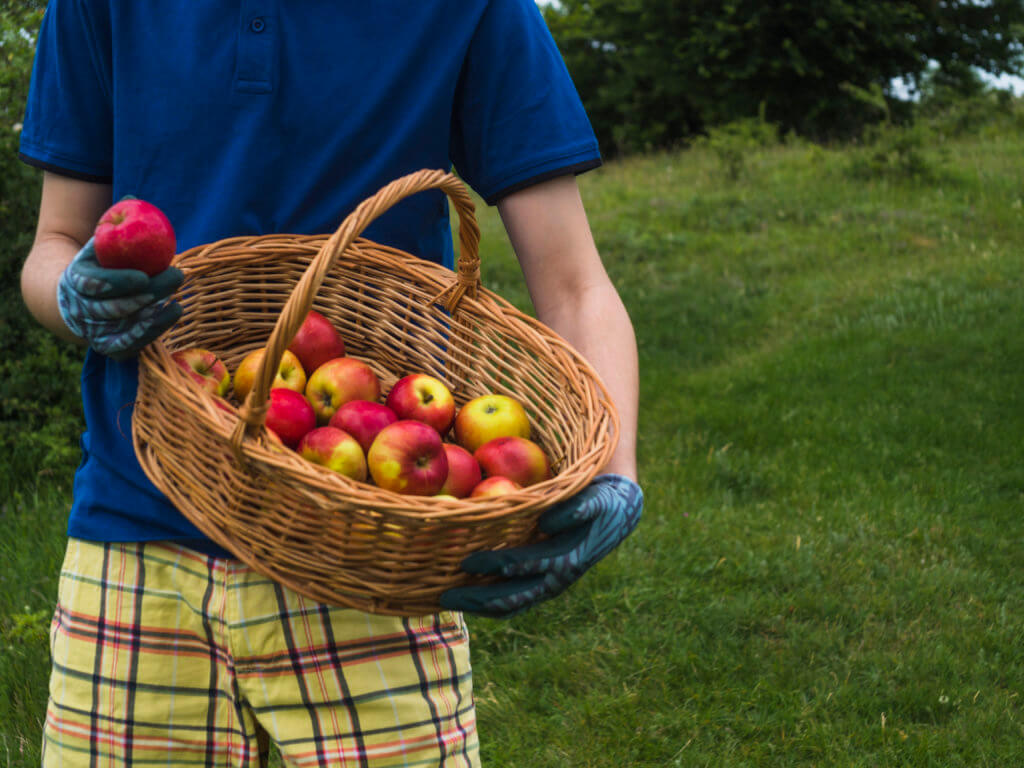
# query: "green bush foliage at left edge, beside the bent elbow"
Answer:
x=40 y=409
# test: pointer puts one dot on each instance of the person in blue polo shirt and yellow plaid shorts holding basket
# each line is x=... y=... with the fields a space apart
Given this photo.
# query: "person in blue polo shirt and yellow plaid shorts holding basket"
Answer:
x=262 y=117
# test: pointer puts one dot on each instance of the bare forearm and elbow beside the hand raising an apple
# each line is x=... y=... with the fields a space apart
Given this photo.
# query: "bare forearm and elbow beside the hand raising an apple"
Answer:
x=69 y=211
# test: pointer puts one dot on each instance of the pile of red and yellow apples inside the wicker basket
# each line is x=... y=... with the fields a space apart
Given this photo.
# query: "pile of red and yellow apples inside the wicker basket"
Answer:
x=413 y=441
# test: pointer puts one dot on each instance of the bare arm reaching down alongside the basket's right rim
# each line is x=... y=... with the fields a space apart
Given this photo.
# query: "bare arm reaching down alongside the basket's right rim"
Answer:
x=573 y=295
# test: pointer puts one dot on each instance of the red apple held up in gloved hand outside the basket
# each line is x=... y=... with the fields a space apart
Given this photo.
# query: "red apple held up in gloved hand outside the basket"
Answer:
x=135 y=235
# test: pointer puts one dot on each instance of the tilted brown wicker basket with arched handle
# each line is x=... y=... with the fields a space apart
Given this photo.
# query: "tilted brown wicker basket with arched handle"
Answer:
x=329 y=538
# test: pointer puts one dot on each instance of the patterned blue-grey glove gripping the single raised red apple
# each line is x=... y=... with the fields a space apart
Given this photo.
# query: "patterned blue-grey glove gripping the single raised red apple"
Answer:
x=118 y=312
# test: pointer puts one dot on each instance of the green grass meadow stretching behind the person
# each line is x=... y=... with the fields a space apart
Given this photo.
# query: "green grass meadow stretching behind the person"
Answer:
x=830 y=568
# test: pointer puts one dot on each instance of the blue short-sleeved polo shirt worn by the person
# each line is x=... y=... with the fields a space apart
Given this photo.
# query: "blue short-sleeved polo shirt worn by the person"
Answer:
x=257 y=117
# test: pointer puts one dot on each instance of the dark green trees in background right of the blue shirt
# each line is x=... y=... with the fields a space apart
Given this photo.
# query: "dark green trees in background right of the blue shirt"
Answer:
x=653 y=73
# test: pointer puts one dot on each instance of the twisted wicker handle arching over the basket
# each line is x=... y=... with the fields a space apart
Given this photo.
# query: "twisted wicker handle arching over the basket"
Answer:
x=253 y=411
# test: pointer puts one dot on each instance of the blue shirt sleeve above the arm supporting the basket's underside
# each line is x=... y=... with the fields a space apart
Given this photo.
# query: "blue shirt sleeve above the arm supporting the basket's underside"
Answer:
x=519 y=118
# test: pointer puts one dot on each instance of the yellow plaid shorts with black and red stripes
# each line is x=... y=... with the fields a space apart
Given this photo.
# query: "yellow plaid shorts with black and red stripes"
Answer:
x=163 y=656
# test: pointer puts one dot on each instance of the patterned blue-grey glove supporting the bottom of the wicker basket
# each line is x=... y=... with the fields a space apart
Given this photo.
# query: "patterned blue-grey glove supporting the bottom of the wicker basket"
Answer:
x=582 y=531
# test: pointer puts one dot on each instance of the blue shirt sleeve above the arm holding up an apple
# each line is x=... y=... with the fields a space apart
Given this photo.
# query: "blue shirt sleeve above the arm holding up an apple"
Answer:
x=68 y=126
